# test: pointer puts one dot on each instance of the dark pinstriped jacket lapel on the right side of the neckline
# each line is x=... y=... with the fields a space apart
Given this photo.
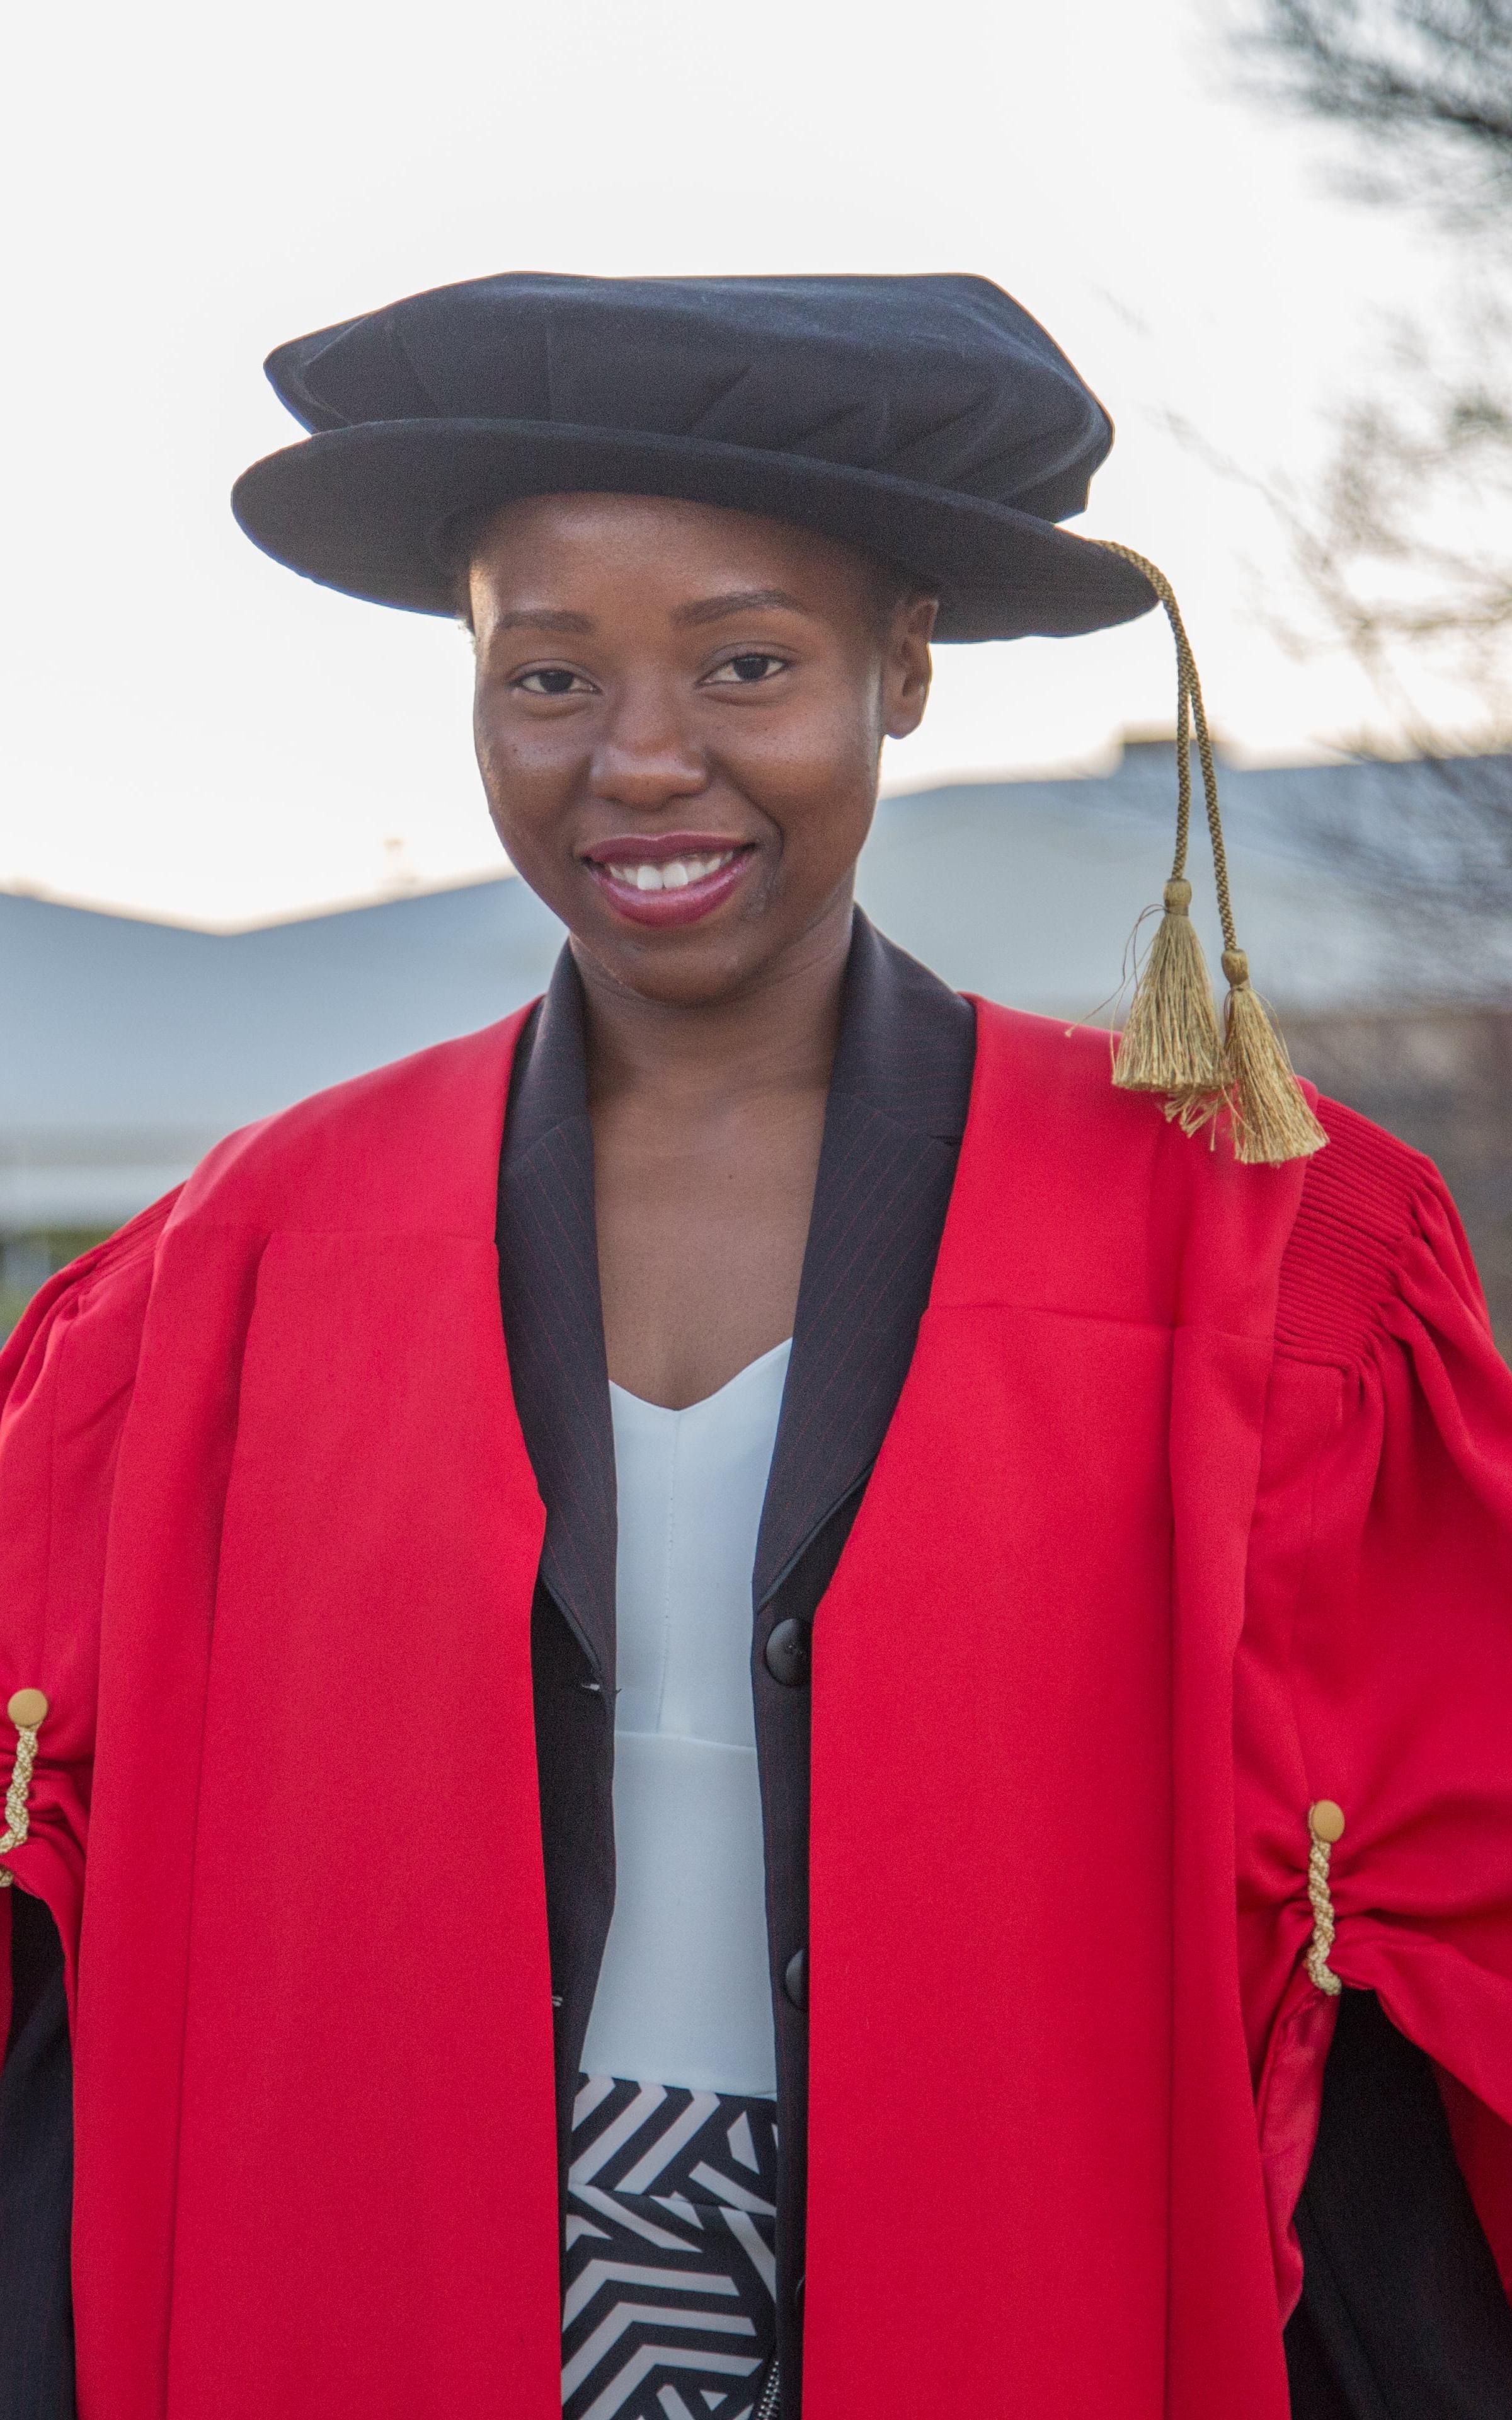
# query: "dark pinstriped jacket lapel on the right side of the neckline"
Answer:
x=887 y=1168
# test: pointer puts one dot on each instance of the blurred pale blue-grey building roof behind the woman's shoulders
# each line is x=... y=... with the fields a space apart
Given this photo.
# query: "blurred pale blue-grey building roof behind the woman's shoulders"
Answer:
x=146 y=1042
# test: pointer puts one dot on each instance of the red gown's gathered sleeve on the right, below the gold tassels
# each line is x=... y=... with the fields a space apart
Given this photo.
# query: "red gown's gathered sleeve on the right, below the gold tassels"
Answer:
x=1375 y=1669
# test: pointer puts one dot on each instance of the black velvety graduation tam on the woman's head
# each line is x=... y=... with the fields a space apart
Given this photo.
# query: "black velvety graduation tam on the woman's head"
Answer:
x=928 y=420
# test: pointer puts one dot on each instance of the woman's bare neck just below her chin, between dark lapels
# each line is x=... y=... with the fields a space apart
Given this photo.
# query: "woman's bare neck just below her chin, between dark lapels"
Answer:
x=775 y=1035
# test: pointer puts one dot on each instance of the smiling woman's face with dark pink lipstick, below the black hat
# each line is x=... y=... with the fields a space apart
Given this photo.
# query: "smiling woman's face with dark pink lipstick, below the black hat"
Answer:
x=679 y=722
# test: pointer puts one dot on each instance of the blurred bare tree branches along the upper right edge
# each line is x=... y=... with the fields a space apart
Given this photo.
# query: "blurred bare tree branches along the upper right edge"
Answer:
x=1400 y=546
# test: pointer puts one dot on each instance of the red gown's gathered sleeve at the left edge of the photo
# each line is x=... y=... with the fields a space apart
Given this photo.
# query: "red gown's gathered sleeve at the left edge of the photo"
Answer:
x=67 y=1383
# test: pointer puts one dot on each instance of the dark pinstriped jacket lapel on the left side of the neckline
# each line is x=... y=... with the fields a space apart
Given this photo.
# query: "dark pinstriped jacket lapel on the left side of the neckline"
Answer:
x=553 y=1315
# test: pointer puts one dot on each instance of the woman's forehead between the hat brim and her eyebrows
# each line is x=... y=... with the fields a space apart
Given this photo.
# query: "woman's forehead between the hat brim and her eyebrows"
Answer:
x=664 y=546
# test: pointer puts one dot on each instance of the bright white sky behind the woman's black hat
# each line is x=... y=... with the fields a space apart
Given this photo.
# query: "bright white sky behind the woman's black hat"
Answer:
x=195 y=734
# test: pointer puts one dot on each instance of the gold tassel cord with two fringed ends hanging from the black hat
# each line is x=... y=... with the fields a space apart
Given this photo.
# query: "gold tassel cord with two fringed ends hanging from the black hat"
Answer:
x=1172 y=1039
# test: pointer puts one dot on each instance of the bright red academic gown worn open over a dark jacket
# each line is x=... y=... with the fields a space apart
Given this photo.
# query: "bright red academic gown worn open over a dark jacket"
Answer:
x=1196 y=1509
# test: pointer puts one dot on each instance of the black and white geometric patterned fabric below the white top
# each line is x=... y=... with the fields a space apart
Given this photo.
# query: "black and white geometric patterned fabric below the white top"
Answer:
x=669 y=2254
